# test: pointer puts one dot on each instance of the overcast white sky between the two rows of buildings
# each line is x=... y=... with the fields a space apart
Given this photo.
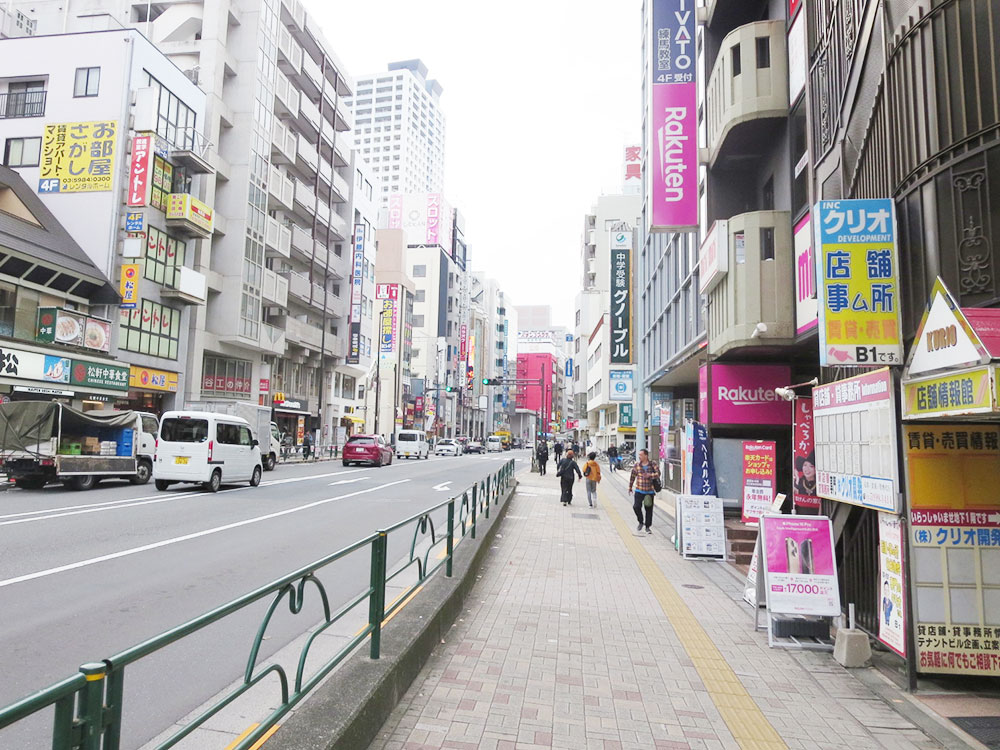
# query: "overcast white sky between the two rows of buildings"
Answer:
x=540 y=99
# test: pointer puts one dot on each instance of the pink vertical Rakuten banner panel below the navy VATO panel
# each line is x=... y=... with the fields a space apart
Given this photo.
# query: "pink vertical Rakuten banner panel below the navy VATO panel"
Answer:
x=675 y=156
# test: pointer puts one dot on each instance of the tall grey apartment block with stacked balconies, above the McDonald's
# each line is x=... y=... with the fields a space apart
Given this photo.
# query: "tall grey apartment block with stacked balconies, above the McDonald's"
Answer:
x=278 y=267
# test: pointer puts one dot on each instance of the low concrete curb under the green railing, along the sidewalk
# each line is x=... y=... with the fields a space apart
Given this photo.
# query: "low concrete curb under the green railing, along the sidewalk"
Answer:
x=348 y=711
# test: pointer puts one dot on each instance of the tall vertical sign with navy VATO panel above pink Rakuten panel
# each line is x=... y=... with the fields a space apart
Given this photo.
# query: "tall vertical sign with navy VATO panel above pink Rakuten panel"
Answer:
x=673 y=148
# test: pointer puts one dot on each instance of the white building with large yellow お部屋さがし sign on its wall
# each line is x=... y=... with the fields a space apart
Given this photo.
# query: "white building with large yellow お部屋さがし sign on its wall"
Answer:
x=109 y=132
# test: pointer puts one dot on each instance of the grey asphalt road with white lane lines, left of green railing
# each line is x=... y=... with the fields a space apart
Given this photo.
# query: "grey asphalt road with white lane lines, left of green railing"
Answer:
x=84 y=575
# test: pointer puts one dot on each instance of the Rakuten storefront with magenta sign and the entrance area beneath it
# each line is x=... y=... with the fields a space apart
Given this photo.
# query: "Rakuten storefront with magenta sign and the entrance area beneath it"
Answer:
x=738 y=403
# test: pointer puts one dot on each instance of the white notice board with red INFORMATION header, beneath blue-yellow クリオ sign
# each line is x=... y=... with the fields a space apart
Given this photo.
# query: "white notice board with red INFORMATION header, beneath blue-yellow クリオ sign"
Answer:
x=855 y=441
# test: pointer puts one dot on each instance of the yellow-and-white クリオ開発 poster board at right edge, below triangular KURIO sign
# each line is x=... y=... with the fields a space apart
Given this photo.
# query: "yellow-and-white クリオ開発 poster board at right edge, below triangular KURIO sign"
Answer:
x=954 y=529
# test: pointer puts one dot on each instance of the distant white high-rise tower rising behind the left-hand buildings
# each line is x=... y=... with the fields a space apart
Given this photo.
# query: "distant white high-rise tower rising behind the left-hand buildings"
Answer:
x=401 y=128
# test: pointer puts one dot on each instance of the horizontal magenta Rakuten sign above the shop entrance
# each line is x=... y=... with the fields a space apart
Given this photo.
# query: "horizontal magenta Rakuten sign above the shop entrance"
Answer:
x=744 y=394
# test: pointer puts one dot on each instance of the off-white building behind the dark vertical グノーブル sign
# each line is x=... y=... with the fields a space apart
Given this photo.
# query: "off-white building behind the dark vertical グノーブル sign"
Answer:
x=600 y=414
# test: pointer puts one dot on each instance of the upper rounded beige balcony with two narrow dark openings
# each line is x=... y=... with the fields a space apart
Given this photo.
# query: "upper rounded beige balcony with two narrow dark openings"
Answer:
x=748 y=88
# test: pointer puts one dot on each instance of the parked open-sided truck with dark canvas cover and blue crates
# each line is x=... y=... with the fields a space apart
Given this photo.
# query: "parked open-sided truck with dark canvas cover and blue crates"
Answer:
x=43 y=442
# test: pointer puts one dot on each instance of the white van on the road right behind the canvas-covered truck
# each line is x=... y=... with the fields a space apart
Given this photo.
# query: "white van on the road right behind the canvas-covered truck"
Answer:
x=207 y=448
